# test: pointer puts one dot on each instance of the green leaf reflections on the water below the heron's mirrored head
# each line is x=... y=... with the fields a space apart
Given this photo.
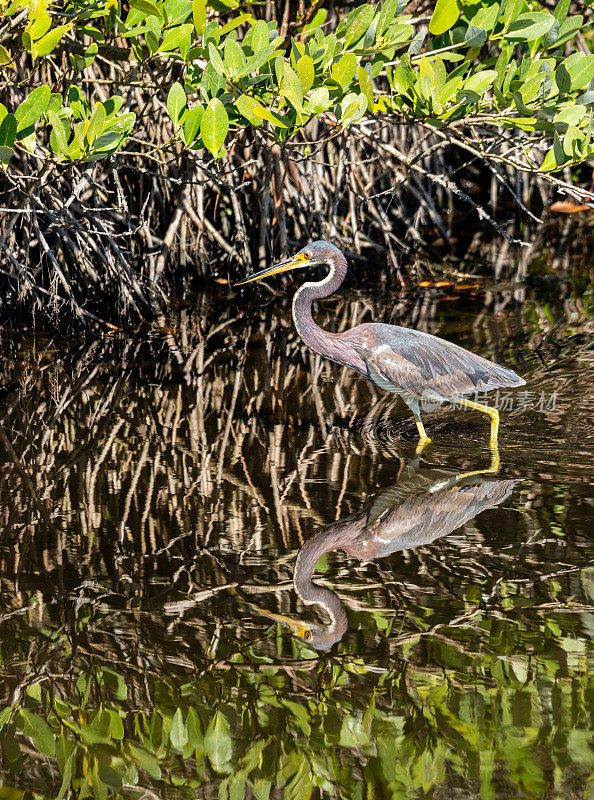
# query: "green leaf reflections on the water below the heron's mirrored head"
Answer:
x=411 y=732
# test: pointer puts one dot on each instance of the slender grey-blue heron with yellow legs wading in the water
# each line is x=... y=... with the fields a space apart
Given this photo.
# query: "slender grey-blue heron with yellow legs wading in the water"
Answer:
x=410 y=363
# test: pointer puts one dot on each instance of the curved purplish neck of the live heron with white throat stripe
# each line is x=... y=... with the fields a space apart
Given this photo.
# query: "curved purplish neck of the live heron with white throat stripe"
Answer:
x=315 y=337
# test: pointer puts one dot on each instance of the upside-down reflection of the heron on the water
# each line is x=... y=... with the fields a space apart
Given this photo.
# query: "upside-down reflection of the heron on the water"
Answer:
x=423 y=506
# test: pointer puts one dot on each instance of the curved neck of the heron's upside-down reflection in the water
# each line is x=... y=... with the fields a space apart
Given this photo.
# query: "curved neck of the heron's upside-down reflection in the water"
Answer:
x=310 y=592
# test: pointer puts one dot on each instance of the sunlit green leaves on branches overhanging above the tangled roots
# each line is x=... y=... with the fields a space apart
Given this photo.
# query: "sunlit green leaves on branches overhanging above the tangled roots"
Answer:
x=235 y=70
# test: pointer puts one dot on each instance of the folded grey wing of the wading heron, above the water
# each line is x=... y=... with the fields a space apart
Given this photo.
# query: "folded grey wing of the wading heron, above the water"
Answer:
x=424 y=365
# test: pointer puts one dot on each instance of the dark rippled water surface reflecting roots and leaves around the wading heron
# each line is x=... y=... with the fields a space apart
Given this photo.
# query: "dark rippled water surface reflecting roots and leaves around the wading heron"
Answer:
x=155 y=489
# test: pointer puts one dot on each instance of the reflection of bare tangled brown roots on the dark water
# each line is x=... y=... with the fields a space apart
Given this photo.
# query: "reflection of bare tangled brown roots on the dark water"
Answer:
x=181 y=477
